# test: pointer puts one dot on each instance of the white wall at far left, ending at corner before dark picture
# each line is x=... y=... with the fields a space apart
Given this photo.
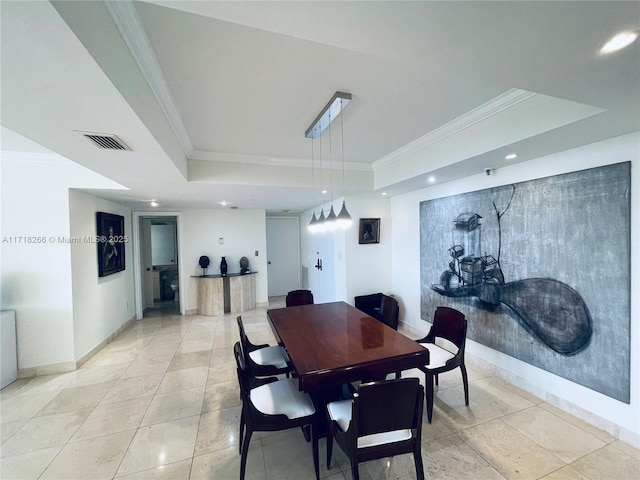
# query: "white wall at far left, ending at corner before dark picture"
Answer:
x=36 y=277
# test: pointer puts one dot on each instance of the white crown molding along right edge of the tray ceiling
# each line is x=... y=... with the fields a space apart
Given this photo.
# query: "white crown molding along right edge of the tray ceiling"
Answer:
x=498 y=104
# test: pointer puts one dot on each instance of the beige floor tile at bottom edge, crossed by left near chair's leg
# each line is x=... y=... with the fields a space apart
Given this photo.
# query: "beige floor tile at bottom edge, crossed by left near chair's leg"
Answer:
x=225 y=463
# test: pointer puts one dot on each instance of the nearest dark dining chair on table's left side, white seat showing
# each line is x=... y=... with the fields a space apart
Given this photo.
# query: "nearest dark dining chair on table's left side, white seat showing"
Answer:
x=274 y=405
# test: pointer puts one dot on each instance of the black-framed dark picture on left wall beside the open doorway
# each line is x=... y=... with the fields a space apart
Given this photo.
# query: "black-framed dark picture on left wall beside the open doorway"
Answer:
x=110 y=240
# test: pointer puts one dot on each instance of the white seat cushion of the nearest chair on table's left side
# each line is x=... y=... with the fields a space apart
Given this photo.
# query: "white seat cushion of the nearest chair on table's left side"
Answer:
x=282 y=398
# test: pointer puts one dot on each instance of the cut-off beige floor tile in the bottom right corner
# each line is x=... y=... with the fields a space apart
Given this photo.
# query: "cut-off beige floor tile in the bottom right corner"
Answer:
x=616 y=461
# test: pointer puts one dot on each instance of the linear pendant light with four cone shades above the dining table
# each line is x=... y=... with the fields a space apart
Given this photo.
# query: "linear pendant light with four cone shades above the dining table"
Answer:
x=329 y=113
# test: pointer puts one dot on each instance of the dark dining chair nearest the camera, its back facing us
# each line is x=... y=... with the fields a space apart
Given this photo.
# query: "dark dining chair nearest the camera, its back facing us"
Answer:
x=383 y=419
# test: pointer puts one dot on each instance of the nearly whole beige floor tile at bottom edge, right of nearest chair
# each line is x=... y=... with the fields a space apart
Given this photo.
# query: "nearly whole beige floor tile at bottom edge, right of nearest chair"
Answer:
x=509 y=451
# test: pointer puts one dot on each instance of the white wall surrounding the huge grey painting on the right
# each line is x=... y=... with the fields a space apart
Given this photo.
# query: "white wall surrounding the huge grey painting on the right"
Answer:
x=618 y=418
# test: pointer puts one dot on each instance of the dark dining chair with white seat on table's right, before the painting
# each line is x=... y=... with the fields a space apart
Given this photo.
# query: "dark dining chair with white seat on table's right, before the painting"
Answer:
x=450 y=325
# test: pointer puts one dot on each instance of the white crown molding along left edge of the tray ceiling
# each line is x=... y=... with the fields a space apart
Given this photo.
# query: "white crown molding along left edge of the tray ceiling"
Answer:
x=128 y=22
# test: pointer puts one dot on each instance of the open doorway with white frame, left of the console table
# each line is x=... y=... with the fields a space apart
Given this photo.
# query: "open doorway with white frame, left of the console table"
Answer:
x=158 y=273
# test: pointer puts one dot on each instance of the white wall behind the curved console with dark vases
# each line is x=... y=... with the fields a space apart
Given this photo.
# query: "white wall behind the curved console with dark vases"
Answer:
x=244 y=232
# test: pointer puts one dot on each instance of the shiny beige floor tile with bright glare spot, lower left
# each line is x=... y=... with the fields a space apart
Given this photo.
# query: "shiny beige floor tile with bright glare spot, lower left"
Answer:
x=160 y=444
